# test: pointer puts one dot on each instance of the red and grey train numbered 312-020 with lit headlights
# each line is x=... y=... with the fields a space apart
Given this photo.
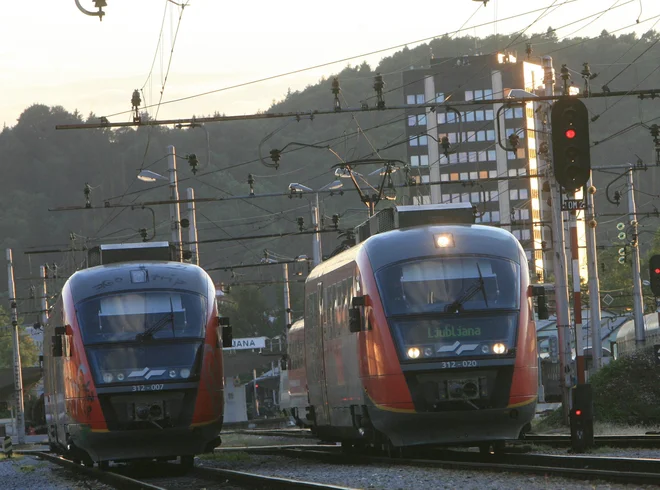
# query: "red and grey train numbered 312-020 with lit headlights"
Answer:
x=422 y=335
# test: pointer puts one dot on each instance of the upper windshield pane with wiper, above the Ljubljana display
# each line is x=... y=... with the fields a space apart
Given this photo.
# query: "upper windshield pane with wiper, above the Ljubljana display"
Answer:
x=452 y=285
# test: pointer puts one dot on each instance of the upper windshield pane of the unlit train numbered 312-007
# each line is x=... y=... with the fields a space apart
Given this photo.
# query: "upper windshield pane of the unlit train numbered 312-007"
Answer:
x=142 y=316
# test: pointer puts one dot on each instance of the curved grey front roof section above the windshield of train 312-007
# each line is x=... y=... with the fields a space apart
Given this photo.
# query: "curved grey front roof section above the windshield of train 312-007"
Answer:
x=118 y=277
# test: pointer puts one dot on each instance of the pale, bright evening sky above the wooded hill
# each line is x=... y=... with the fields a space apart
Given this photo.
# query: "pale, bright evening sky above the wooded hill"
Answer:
x=53 y=54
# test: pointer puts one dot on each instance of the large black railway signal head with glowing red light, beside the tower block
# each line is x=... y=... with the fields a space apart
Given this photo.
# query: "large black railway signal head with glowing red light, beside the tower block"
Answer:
x=570 y=143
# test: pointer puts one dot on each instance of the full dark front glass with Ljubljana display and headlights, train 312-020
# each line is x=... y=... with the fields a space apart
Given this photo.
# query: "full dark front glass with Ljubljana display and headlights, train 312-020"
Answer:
x=452 y=307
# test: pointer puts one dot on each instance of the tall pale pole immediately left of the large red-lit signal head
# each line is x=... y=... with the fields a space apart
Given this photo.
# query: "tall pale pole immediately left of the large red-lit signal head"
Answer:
x=563 y=312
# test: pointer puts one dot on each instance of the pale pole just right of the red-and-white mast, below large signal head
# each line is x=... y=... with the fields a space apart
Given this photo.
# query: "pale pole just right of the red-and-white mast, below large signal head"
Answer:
x=594 y=287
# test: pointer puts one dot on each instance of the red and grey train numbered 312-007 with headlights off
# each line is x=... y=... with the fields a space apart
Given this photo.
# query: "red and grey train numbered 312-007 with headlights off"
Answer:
x=133 y=364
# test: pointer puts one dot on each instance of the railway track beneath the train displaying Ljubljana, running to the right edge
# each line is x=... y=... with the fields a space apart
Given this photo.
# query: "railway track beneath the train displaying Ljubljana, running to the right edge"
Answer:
x=621 y=470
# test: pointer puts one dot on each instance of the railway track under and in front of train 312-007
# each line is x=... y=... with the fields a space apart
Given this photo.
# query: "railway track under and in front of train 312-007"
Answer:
x=118 y=477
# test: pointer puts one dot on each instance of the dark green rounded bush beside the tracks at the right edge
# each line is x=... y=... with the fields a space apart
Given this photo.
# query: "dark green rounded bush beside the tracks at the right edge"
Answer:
x=628 y=390
